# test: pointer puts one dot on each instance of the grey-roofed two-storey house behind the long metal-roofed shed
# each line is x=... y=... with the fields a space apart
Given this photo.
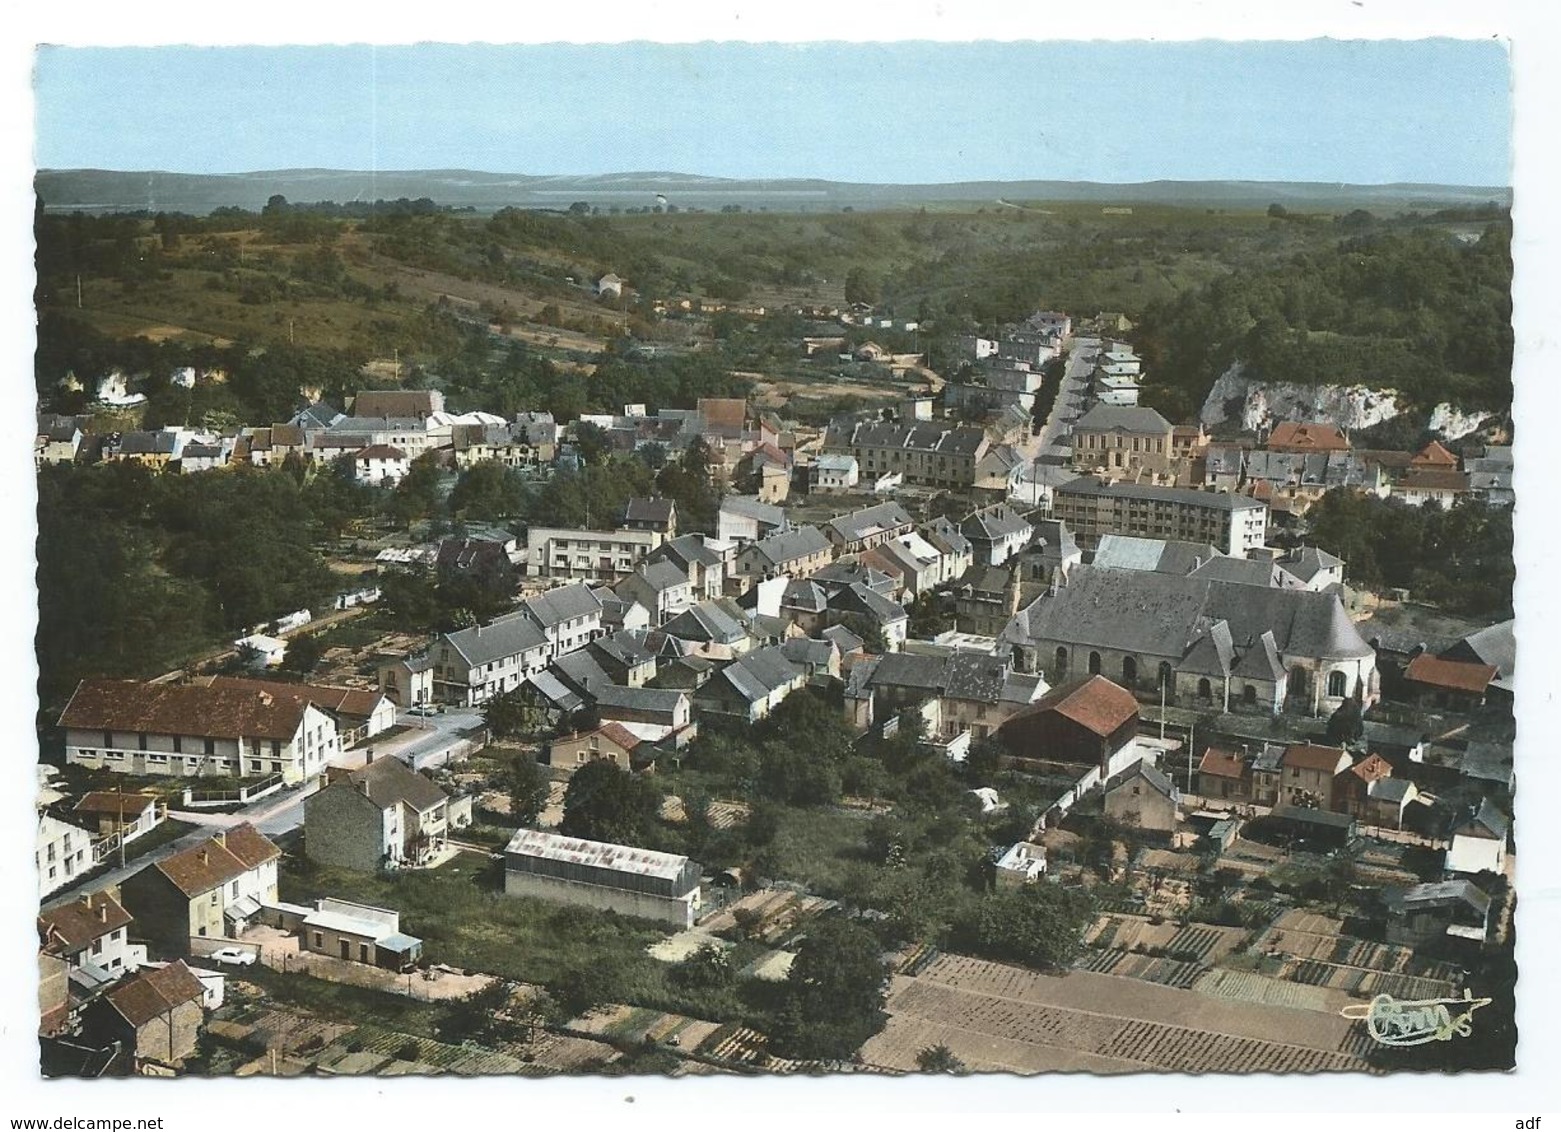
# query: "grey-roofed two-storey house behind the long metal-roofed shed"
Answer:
x=380 y=816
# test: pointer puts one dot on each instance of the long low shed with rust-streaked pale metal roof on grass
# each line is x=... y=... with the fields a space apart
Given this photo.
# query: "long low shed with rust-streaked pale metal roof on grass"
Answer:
x=613 y=878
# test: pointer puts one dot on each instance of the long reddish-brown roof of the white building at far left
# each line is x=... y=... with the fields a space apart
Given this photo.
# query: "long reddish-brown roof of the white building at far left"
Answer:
x=221 y=710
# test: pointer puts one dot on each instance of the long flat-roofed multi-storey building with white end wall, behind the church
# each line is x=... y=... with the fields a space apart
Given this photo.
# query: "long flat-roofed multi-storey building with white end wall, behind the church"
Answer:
x=1092 y=508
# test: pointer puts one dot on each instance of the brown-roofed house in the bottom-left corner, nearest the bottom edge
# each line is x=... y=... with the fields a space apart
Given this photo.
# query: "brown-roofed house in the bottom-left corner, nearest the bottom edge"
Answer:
x=157 y=1013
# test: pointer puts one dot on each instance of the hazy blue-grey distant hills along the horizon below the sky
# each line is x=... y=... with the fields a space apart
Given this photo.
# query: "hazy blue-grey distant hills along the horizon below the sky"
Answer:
x=115 y=191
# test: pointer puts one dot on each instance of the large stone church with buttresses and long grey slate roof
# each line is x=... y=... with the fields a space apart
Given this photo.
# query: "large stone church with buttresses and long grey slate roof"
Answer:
x=1200 y=641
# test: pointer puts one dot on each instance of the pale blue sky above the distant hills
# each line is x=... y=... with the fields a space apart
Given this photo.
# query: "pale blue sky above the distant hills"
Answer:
x=1364 y=112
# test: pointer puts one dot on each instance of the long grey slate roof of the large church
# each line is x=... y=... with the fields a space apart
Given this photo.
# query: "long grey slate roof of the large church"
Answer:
x=1154 y=614
